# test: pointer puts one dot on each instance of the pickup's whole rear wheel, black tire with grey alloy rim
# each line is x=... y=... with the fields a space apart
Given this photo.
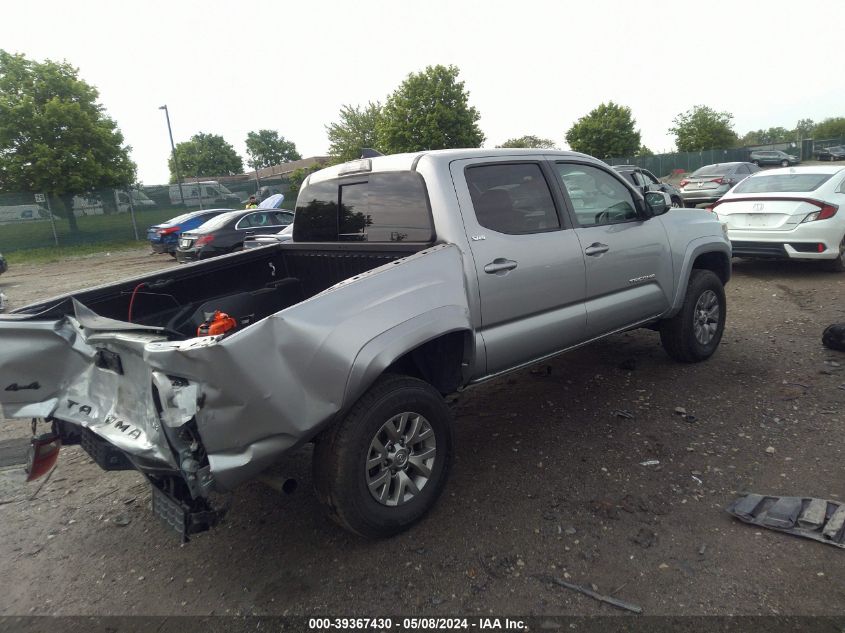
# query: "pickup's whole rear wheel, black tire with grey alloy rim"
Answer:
x=381 y=469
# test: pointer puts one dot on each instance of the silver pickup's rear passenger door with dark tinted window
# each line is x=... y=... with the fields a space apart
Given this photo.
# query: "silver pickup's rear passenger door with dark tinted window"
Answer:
x=529 y=262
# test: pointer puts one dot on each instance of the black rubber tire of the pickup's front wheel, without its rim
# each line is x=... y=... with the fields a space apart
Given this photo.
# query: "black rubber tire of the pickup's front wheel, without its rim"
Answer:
x=678 y=334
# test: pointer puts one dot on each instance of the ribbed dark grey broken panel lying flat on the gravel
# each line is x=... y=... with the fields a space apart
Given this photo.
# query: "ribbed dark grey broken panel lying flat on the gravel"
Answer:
x=818 y=519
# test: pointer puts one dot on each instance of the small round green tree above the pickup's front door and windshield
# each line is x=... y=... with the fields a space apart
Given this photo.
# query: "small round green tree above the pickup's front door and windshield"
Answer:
x=605 y=132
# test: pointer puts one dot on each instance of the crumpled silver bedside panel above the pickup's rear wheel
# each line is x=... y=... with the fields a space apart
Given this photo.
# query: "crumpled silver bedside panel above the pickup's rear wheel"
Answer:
x=276 y=383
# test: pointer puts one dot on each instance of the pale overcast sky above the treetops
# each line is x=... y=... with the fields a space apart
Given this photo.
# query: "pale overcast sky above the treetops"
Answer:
x=531 y=67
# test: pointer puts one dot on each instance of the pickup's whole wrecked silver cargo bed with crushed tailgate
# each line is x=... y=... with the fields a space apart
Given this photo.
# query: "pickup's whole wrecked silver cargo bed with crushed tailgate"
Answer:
x=121 y=370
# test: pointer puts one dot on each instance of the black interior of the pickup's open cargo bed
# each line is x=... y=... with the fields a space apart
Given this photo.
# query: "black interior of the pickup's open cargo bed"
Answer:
x=248 y=286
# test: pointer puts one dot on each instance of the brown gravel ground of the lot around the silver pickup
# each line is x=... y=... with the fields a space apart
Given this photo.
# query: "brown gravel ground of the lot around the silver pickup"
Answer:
x=547 y=481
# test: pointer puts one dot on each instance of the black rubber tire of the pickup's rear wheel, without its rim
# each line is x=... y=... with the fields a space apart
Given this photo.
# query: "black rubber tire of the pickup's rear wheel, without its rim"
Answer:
x=341 y=454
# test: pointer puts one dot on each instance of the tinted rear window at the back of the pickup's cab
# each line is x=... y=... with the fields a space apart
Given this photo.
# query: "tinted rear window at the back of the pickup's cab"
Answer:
x=379 y=207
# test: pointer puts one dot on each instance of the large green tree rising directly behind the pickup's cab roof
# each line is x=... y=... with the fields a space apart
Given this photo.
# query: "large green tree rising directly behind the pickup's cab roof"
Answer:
x=429 y=110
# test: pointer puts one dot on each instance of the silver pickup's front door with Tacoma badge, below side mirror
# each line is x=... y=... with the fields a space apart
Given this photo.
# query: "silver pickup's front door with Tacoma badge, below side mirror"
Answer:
x=629 y=275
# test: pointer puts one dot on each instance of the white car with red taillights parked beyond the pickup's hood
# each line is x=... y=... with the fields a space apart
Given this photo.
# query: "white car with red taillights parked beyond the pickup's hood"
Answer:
x=789 y=213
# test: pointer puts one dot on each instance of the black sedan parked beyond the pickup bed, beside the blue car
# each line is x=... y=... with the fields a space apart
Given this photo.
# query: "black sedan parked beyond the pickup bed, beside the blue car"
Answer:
x=226 y=232
